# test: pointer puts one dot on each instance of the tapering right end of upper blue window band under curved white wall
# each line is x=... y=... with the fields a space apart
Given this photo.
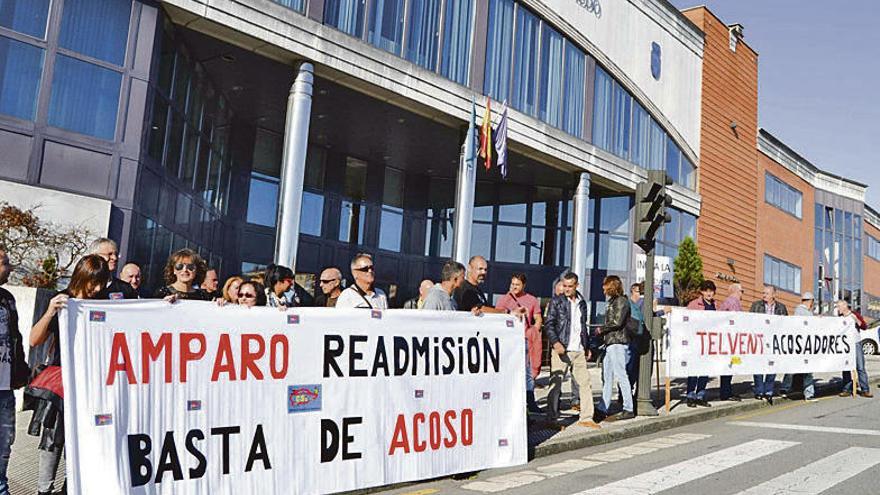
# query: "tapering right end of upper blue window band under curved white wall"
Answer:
x=622 y=126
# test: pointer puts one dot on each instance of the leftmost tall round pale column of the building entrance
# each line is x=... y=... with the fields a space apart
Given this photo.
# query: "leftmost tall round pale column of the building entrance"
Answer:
x=293 y=166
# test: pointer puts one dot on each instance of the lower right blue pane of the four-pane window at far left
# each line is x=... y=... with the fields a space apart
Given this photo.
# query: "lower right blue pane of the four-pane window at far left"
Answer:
x=85 y=98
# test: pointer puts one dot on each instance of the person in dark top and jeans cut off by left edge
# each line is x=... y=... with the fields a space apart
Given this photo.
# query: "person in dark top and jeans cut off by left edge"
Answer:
x=13 y=368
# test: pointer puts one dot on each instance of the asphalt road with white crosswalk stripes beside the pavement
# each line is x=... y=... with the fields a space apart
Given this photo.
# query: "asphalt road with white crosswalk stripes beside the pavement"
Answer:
x=831 y=446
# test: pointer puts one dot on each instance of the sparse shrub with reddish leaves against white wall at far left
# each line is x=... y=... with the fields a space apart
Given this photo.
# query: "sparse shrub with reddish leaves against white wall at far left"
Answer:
x=42 y=252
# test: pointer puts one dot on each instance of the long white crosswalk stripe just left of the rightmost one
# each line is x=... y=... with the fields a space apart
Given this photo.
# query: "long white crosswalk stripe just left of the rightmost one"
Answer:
x=692 y=469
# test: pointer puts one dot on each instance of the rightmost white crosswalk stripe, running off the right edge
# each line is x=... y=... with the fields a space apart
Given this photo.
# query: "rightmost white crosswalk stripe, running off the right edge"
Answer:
x=821 y=475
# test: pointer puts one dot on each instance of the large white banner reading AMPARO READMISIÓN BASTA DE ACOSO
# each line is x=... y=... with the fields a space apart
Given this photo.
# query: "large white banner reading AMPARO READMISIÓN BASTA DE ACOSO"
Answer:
x=192 y=398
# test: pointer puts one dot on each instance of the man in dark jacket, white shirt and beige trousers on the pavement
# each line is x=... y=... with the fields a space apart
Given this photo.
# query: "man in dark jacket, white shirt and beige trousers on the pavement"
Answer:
x=567 y=332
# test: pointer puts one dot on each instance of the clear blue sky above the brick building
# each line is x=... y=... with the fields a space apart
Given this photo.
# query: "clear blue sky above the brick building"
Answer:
x=819 y=74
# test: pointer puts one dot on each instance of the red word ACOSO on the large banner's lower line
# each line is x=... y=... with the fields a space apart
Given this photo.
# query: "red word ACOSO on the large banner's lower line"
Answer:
x=446 y=434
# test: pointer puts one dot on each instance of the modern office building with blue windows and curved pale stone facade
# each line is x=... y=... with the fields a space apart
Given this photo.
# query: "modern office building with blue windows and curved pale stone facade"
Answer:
x=175 y=112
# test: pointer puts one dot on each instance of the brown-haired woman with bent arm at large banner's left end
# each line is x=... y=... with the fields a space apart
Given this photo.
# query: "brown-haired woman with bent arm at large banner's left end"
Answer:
x=90 y=277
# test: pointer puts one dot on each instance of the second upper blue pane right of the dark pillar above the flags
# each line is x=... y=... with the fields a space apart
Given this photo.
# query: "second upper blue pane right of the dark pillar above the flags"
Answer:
x=525 y=62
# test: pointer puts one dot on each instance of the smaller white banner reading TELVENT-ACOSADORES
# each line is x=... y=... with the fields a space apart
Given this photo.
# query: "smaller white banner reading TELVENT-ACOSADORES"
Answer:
x=713 y=343
